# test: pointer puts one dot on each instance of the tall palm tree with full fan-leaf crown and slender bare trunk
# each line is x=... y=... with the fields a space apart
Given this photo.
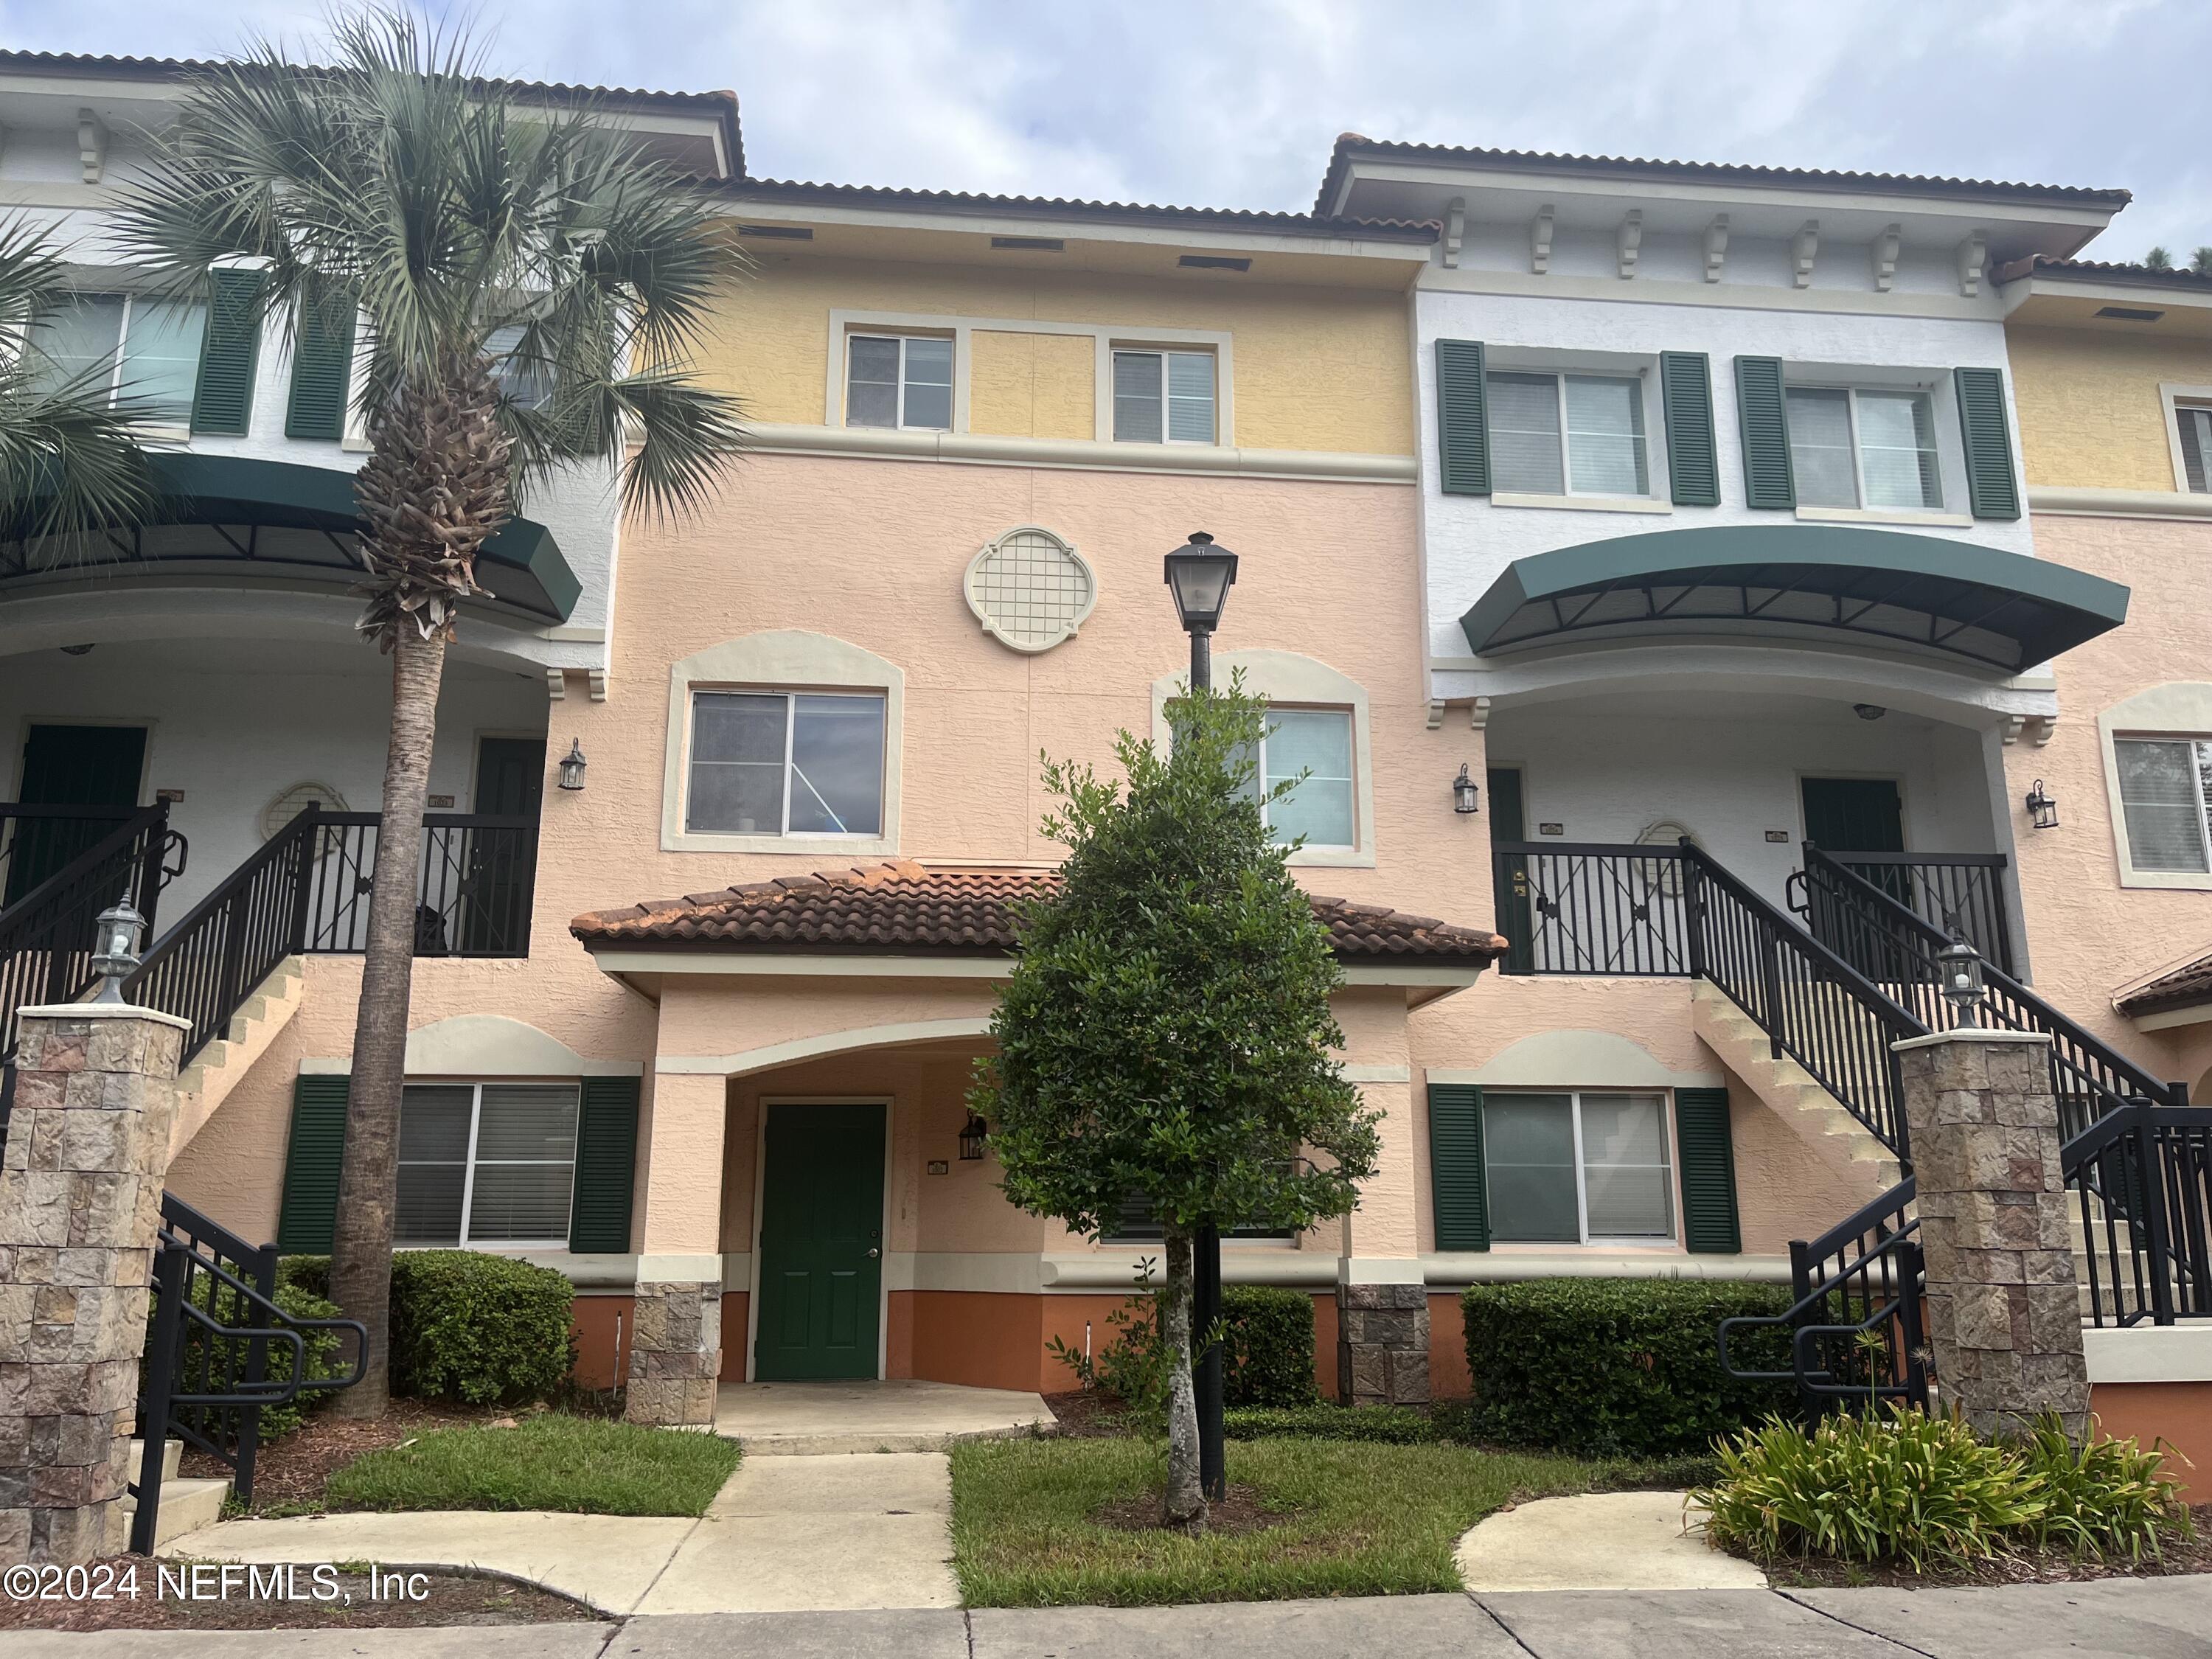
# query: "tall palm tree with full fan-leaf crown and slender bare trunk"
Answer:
x=532 y=286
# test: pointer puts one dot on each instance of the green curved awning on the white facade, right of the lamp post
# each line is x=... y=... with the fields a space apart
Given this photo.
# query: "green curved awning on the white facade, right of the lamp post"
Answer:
x=1799 y=581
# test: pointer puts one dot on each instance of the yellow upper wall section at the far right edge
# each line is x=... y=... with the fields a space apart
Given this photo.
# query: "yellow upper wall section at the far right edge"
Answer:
x=2089 y=404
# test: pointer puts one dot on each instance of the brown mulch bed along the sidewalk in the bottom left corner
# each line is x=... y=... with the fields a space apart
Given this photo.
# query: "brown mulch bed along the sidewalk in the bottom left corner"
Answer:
x=452 y=1598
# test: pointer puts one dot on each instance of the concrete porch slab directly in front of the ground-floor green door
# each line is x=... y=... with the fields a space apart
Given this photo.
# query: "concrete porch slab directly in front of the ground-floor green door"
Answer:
x=773 y=1419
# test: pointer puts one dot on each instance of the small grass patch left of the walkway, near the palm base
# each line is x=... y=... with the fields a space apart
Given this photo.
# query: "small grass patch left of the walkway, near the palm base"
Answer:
x=550 y=1461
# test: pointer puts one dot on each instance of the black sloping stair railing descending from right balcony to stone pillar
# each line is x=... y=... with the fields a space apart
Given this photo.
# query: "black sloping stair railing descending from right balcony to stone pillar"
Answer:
x=1811 y=1001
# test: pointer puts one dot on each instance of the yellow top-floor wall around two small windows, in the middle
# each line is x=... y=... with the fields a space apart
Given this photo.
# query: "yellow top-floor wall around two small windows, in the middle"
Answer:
x=1315 y=368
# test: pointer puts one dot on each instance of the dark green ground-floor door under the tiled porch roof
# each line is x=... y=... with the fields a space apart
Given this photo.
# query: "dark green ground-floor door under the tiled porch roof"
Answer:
x=822 y=1242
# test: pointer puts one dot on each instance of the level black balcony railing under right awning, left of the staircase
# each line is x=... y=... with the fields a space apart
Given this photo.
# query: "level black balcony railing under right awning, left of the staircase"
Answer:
x=1578 y=908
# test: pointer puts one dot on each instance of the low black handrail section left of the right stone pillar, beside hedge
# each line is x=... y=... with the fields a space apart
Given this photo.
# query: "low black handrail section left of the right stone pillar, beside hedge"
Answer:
x=1857 y=1328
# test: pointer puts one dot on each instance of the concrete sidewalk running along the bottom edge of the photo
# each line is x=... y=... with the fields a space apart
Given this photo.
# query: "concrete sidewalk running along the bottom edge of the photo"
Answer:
x=2111 y=1618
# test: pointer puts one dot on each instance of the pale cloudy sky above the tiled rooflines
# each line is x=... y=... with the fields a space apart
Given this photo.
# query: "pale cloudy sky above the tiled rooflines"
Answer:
x=1235 y=103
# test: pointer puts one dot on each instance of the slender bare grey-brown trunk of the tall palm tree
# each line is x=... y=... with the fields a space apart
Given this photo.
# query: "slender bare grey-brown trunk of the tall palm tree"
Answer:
x=368 y=1180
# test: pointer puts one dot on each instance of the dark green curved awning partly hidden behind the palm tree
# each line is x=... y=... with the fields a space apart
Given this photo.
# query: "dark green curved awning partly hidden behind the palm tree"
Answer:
x=282 y=517
